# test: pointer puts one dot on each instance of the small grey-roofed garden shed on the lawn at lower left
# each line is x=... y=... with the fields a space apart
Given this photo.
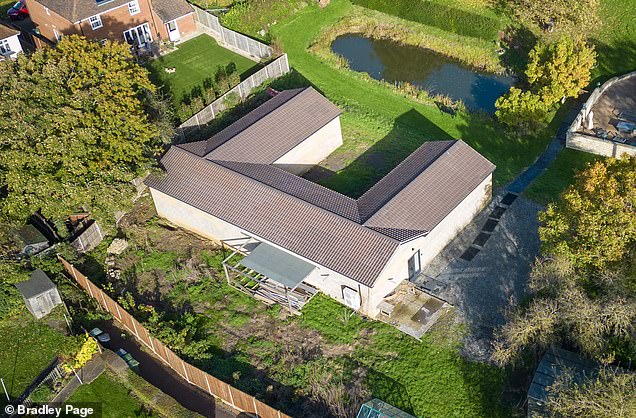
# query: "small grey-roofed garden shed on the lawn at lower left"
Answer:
x=39 y=293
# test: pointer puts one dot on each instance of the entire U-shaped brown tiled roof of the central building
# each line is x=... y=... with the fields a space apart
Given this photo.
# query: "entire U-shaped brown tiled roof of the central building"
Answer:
x=237 y=183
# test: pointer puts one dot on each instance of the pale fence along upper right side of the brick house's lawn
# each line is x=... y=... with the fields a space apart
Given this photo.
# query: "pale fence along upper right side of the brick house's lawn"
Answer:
x=230 y=38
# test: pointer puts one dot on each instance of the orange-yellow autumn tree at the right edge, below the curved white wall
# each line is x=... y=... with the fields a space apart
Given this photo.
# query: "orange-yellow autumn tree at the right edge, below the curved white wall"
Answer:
x=594 y=224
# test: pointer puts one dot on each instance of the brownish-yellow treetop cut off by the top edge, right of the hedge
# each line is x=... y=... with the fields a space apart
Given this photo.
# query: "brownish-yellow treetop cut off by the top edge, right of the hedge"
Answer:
x=572 y=16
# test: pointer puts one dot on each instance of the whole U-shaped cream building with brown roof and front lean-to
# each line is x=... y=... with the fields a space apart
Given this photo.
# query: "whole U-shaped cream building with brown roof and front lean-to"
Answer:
x=289 y=237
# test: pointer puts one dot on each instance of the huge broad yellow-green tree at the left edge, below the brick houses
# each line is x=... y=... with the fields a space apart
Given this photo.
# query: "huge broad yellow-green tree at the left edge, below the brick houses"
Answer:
x=77 y=131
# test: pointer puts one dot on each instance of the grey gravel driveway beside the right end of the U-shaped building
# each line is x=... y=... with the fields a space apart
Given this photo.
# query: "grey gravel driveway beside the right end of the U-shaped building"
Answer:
x=482 y=287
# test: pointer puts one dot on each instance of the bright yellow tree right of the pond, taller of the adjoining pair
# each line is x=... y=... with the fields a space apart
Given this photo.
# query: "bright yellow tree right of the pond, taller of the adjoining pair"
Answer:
x=561 y=69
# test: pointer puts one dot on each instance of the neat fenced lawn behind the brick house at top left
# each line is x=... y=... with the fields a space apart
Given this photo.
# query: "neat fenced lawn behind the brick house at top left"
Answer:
x=195 y=61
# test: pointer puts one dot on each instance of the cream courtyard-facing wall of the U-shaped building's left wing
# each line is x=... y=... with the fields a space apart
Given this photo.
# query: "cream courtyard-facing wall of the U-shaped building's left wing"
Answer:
x=313 y=149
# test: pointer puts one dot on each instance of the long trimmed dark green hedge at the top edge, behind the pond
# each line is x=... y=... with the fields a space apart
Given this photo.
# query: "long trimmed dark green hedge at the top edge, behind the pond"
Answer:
x=450 y=16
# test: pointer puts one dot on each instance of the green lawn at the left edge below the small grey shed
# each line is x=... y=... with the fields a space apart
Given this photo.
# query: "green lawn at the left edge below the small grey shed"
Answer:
x=27 y=346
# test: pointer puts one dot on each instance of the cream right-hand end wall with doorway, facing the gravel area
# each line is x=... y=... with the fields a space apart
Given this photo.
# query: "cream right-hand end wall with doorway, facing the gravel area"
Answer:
x=430 y=245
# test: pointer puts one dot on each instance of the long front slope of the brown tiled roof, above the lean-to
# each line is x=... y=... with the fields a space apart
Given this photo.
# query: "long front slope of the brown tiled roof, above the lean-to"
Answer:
x=298 y=226
